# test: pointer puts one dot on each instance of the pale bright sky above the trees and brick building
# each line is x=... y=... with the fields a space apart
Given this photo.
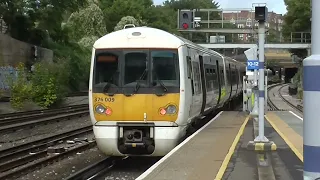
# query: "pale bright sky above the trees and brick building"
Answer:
x=276 y=6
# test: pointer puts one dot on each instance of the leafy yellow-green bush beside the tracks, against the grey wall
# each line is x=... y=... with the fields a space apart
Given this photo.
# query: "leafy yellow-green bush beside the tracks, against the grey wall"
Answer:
x=47 y=85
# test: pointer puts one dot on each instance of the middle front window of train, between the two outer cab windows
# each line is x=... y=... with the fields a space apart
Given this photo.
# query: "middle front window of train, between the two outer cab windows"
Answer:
x=136 y=64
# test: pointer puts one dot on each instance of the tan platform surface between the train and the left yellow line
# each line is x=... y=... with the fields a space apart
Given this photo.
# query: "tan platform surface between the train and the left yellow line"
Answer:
x=201 y=157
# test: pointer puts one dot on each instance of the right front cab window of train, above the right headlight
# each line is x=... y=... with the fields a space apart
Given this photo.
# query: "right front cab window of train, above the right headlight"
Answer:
x=165 y=67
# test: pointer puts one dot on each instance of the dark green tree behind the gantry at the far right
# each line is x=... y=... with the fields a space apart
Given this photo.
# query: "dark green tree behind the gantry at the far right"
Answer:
x=297 y=19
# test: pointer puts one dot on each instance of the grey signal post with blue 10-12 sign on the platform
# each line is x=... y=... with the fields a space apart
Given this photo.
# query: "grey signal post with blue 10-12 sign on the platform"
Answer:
x=261 y=144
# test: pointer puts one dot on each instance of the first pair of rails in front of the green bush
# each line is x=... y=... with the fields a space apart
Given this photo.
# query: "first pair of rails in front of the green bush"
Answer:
x=29 y=119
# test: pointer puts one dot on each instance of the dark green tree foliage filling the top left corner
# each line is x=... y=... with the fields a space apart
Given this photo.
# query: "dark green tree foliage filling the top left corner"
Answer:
x=25 y=16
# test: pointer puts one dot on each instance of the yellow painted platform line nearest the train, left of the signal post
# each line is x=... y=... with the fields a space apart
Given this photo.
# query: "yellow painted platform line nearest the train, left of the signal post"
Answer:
x=226 y=160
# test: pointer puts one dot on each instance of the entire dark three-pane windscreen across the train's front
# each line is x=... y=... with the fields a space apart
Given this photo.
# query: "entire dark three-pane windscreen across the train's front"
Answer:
x=127 y=68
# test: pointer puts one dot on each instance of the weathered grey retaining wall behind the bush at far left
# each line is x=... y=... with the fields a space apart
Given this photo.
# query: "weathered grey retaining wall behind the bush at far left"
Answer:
x=12 y=52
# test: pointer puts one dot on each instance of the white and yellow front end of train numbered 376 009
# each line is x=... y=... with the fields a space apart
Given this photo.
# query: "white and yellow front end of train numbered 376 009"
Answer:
x=136 y=92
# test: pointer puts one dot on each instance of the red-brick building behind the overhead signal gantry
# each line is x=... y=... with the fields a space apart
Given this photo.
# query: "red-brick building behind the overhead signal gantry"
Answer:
x=245 y=19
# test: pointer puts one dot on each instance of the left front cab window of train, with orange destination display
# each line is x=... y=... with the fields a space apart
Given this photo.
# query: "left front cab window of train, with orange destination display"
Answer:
x=106 y=68
